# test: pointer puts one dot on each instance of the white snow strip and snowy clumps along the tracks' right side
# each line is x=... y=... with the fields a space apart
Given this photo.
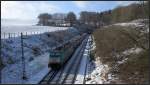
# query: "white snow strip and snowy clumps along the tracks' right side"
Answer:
x=95 y=71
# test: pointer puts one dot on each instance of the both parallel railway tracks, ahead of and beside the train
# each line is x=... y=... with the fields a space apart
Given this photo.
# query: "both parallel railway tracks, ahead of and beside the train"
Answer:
x=66 y=75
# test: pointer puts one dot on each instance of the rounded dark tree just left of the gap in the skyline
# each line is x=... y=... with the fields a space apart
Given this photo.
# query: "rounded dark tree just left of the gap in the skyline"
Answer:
x=71 y=18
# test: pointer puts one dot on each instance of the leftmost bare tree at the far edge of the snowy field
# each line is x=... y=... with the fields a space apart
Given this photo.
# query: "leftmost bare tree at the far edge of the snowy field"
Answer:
x=43 y=18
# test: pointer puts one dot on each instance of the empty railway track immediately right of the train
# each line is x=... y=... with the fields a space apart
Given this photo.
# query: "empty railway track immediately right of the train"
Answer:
x=69 y=74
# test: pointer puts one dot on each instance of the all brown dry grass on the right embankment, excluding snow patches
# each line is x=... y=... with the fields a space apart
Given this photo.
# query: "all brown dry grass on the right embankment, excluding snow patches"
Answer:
x=116 y=39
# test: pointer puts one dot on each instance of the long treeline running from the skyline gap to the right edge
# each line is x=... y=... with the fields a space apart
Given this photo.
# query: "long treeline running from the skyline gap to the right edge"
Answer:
x=119 y=14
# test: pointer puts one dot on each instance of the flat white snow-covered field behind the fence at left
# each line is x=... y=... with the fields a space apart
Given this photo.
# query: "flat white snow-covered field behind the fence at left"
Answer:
x=24 y=26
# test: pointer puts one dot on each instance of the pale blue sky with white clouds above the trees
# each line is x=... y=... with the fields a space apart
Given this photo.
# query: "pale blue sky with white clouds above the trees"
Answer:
x=29 y=10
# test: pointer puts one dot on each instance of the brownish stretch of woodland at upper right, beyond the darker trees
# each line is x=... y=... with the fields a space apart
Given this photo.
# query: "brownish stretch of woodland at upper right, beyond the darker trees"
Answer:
x=126 y=13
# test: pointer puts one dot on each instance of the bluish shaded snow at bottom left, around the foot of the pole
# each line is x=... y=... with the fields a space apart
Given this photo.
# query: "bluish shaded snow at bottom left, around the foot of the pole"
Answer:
x=35 y=71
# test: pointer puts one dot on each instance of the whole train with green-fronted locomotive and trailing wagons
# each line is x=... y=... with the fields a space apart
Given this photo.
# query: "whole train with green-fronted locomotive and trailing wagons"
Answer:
x=60 y=55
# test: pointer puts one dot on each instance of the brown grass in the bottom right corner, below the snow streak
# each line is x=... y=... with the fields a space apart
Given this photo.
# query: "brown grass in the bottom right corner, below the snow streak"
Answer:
x=136 y=69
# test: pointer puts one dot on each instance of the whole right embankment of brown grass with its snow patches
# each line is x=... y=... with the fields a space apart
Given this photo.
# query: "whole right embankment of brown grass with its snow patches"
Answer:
x=124 y=48
